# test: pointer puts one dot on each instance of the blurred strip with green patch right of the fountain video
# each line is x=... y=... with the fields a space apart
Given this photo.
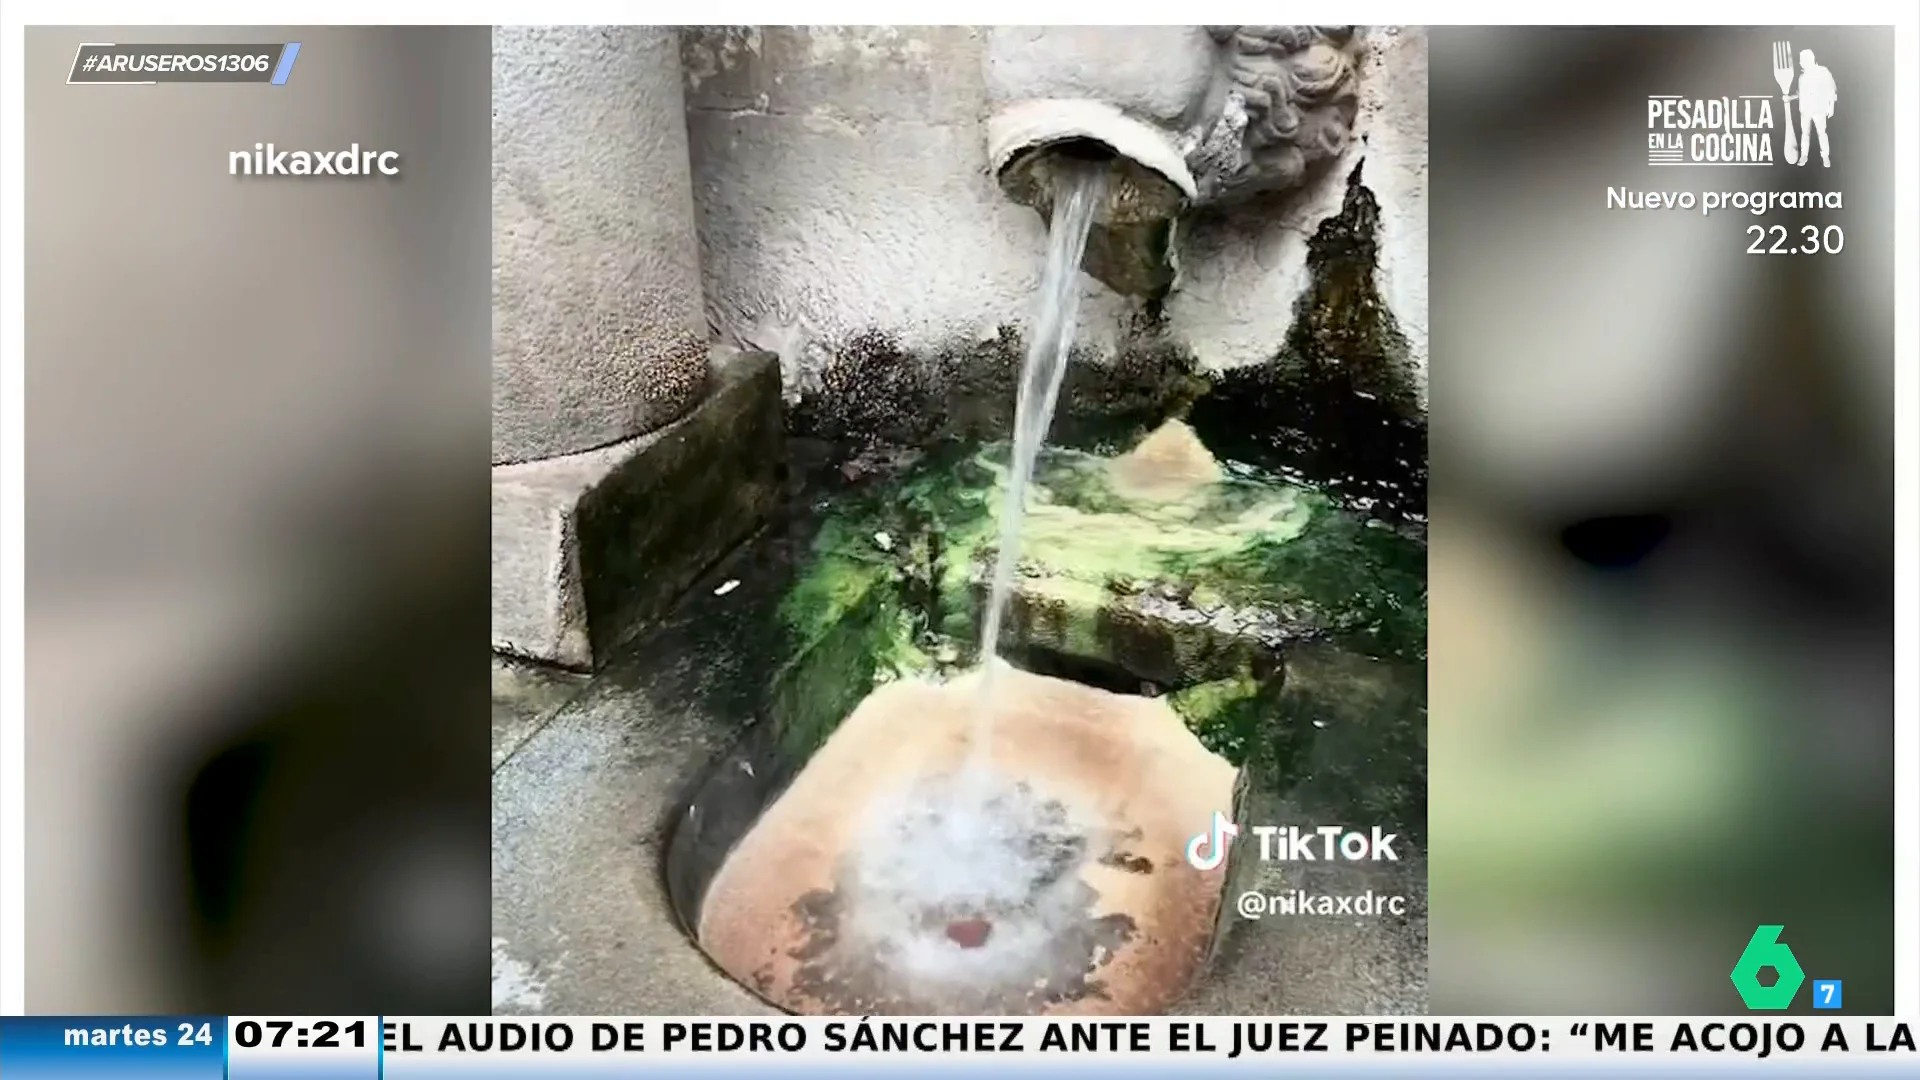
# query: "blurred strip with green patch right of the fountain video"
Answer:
x=1662 y=568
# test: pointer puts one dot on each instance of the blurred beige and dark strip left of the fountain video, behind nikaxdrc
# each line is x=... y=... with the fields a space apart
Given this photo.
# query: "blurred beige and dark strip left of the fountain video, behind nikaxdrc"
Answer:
x=258 y=533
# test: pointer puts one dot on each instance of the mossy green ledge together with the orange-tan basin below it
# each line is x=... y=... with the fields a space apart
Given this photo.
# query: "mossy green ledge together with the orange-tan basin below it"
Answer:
x=1168 y=654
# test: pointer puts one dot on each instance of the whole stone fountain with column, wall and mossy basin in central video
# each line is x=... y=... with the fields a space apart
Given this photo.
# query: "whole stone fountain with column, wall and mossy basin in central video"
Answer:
x=828 y=283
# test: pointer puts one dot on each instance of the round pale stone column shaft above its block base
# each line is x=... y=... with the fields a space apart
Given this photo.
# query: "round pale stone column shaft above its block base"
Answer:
x=600 y=331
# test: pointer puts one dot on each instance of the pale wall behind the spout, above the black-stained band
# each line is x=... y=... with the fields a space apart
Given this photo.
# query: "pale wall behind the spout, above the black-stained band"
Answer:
x=844 y=193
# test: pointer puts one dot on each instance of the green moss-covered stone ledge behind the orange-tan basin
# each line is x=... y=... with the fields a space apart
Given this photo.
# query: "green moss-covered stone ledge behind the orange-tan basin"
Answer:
x=1151 y=574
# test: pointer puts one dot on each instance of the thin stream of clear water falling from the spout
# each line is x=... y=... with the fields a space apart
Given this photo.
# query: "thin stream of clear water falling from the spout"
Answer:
x=1078 y=193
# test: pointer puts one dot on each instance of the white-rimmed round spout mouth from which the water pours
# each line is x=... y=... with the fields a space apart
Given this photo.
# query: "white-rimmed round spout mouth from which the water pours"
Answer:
x=1132 y=247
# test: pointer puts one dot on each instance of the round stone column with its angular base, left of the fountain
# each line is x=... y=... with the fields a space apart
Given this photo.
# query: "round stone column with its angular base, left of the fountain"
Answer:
x=627 y=456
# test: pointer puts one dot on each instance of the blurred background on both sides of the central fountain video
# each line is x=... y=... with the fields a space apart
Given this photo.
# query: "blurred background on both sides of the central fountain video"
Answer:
x=258 y=537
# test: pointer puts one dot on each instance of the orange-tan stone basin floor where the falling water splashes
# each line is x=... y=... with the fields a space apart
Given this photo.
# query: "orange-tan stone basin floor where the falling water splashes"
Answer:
x=903 y=875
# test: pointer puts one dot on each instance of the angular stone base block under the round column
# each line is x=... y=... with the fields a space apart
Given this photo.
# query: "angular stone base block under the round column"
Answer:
x=590 y=547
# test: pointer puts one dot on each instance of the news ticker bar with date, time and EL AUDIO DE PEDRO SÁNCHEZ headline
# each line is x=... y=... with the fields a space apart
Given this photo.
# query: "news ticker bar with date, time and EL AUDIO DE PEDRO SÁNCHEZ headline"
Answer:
x=370 y=1048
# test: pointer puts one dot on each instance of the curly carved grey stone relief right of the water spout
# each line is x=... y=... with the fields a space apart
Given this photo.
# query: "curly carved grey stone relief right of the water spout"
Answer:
x=1284 y=101
